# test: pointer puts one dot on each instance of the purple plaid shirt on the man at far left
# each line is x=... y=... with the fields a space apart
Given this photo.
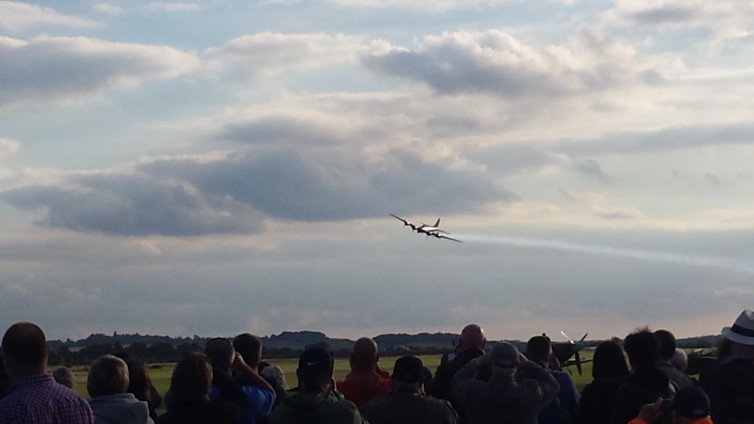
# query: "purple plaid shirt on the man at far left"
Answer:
x=40 y=400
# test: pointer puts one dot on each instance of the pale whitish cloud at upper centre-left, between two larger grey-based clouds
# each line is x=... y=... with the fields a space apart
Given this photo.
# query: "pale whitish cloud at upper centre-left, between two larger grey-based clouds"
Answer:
x=270 y=53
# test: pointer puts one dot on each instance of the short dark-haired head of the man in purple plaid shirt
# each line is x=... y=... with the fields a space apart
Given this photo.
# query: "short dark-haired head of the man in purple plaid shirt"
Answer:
x=25 y=348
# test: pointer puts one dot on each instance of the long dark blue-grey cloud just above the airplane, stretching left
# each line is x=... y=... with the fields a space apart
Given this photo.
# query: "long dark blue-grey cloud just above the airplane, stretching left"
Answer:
x=301 y=186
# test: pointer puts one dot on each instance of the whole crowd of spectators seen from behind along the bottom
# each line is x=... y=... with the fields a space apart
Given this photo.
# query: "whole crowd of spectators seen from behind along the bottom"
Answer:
x=474 y=384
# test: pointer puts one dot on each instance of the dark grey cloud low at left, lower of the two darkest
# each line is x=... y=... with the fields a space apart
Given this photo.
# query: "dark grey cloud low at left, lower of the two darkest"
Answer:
x=133 y=205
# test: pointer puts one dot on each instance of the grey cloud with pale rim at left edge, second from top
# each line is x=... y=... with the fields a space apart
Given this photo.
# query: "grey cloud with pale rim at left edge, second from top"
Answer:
x=66 y=68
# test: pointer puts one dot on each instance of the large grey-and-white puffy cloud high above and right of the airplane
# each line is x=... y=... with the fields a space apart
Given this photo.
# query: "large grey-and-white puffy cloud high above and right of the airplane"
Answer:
x=498 y=64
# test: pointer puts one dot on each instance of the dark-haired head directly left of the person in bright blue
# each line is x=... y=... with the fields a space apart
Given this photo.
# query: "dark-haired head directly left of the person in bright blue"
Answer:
x=191 y=382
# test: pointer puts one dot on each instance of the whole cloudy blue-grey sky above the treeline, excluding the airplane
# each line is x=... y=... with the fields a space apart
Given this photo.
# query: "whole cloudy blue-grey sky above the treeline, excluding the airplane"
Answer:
x=215 y=167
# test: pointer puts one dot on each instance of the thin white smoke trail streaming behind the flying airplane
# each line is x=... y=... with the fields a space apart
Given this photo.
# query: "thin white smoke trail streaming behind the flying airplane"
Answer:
x=643 y=255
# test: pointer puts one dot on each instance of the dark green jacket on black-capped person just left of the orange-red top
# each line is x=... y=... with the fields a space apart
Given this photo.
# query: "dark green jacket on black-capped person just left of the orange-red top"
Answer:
x=316 y=408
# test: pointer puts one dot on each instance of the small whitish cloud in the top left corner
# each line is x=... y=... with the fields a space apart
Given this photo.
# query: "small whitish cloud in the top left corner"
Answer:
x=17 y=16
